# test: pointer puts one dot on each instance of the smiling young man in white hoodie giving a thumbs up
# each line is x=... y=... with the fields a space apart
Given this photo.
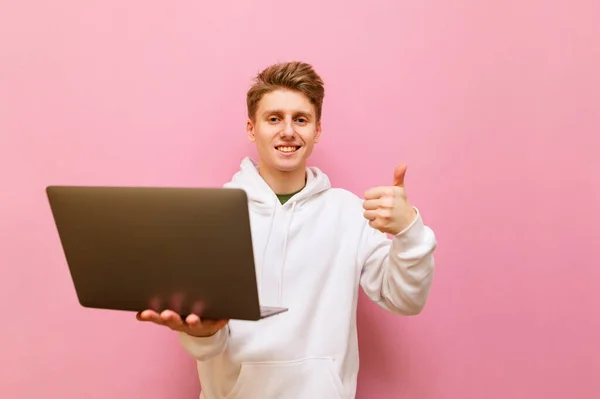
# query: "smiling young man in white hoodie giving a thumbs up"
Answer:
x=315 y=246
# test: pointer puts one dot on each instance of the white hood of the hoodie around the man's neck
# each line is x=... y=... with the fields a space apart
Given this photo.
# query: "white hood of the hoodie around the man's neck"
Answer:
x=262 y=197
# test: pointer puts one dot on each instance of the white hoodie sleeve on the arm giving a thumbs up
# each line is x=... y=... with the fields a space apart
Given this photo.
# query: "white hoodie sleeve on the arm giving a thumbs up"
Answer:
x=397 y=272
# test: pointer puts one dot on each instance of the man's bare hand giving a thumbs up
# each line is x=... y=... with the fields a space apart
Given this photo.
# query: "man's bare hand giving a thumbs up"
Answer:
x=387 y=207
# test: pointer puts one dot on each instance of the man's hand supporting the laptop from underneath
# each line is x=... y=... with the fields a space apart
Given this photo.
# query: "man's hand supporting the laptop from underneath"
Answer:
x=192 y=325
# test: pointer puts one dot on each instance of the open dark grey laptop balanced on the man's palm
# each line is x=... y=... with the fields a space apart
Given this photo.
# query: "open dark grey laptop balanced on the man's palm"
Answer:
x=136 y=248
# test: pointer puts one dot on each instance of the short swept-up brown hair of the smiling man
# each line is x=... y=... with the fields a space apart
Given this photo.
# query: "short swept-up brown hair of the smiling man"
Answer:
x=297 y=76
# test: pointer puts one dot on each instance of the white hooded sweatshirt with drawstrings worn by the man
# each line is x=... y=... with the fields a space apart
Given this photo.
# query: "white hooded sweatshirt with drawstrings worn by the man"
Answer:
x=312 y=254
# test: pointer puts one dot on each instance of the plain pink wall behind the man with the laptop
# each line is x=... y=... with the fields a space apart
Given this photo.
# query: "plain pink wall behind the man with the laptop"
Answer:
x=495 y=105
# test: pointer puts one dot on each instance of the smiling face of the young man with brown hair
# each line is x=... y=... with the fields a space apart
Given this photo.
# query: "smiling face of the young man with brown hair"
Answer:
x=284 y=130
